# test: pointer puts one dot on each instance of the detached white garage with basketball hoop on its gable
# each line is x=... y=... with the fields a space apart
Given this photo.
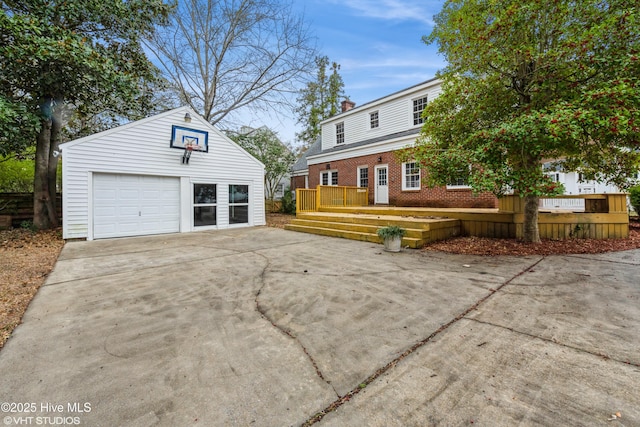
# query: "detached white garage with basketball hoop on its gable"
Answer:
x=168 y=173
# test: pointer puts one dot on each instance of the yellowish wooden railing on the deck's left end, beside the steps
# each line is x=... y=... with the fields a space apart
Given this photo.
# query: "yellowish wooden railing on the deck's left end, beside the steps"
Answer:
x=310 y=200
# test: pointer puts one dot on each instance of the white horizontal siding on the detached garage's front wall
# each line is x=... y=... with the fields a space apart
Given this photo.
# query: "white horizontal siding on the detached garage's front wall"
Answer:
x=143 y=148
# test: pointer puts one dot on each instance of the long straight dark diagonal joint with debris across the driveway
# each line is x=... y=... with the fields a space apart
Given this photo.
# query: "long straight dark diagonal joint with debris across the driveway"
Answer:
x=343 y=399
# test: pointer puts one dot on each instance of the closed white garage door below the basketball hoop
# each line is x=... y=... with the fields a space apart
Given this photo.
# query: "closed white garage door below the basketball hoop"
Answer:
x=135 y=205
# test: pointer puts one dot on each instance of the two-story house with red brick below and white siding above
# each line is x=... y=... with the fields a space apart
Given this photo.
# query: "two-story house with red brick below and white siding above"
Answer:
x=357 y=149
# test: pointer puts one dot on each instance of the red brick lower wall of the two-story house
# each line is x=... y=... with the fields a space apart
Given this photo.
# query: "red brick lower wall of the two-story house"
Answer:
x=439 y=197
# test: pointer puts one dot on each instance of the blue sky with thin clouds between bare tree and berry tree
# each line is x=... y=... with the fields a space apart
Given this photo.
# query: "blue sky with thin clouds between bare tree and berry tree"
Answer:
x=377 y=44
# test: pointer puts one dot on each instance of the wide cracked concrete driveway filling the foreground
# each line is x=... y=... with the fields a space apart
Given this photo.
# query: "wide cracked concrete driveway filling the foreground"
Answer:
x=266 y=327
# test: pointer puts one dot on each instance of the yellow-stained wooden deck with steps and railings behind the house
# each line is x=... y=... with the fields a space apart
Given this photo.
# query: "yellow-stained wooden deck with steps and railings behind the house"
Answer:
x=605 y=216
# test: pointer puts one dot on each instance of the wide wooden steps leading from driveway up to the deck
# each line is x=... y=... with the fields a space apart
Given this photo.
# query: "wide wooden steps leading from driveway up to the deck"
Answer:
x=419 y=230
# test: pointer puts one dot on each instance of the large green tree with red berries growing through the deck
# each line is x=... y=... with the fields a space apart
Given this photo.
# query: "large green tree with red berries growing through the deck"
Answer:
x=528 y=81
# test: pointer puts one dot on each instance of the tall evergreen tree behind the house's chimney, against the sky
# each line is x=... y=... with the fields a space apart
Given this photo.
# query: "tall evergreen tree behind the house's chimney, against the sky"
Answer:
x=319 y=100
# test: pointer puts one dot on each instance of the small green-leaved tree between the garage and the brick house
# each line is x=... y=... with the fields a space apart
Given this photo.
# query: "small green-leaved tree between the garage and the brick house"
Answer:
x=264 y=145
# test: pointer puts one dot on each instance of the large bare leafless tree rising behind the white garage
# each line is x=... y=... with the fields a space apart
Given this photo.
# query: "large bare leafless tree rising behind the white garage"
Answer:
x=223 y=55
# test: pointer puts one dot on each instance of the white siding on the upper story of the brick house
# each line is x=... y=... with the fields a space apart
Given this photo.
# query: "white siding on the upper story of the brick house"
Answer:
x=395 y=114
